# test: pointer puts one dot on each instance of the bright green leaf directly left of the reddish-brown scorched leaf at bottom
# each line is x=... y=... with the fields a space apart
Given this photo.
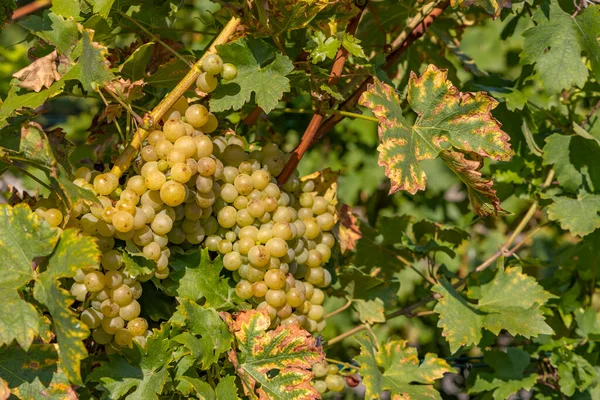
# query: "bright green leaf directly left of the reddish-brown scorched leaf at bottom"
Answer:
x=214 y=338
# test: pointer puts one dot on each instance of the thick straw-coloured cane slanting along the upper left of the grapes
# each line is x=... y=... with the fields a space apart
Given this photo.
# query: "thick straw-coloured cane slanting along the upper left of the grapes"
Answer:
x=151 y=119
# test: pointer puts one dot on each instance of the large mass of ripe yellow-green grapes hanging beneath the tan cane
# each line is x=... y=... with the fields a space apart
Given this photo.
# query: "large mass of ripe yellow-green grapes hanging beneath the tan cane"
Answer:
x=189 y=188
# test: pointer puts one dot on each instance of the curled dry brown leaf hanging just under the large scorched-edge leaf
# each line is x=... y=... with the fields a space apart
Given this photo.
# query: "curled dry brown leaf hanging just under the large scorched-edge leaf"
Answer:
x=484 y=201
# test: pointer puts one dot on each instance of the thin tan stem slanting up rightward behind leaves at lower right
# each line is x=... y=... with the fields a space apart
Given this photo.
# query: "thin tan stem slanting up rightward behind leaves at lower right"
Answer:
x=409 y=310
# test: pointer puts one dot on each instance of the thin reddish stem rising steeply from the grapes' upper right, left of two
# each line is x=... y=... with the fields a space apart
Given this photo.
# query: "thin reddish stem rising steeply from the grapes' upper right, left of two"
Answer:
x=315 y=122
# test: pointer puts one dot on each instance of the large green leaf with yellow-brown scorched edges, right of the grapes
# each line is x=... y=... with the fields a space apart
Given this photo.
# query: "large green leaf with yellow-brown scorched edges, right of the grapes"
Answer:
x=446 y=119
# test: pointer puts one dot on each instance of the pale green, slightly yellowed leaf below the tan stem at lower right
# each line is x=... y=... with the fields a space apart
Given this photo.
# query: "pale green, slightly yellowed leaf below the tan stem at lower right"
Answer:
x=510 y=301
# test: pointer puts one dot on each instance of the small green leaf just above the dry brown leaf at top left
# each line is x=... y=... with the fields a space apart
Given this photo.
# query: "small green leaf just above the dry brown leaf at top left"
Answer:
x=54 y=29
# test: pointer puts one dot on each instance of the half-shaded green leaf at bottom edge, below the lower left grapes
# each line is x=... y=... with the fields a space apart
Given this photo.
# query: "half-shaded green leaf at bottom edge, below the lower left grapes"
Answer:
x=145 y=370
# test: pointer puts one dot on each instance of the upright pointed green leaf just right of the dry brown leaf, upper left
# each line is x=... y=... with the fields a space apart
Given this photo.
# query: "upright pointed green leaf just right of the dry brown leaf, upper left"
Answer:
x=92 y=68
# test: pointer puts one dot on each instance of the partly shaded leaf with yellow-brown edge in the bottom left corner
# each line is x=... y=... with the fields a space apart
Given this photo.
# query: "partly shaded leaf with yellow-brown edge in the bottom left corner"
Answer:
x=35 y=373
